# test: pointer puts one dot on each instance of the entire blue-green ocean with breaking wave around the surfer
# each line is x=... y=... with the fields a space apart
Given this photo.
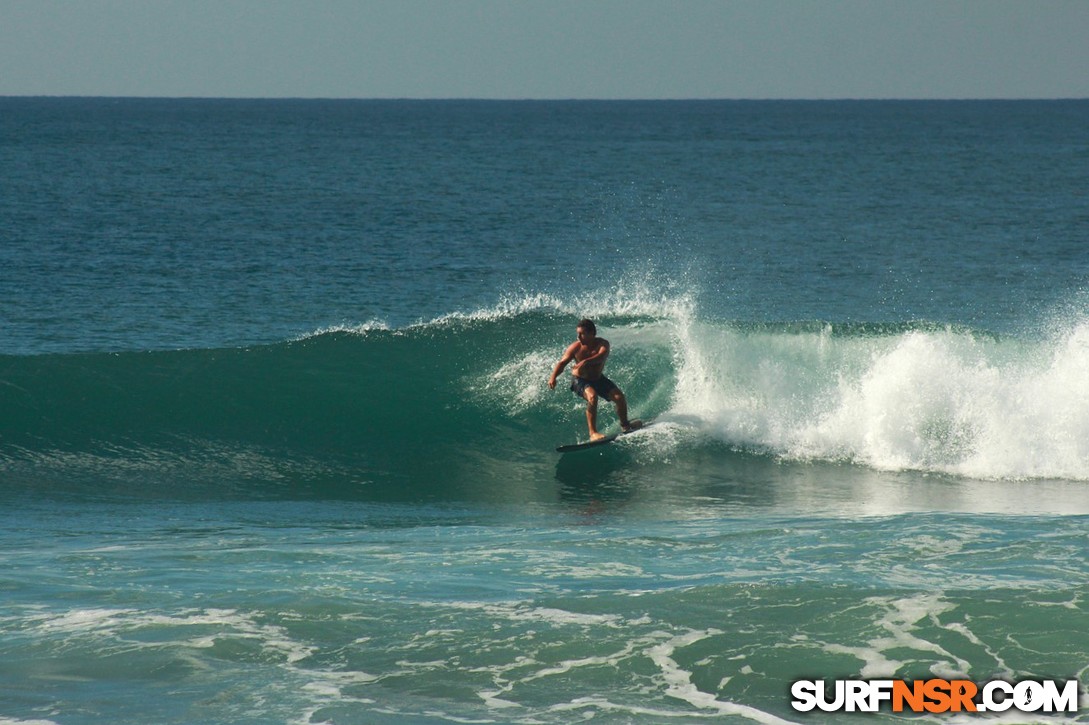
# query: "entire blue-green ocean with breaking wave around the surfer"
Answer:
x=277 y=444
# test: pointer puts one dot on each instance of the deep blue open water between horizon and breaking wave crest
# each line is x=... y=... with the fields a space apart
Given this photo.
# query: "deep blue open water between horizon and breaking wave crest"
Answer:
x=134 y=225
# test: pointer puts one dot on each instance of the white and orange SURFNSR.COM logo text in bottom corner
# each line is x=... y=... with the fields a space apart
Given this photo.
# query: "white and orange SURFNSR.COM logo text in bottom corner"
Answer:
x=935 y=696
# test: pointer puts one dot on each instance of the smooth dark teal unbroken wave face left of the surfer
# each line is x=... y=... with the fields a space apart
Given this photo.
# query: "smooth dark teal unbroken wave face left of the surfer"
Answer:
x=423 y=412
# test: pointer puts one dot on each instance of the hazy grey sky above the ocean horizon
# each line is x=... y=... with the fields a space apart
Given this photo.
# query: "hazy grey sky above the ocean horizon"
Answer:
x=547 y=48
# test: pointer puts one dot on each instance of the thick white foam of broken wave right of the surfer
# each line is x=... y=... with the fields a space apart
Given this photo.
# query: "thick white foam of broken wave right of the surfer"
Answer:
x=925 y=400
